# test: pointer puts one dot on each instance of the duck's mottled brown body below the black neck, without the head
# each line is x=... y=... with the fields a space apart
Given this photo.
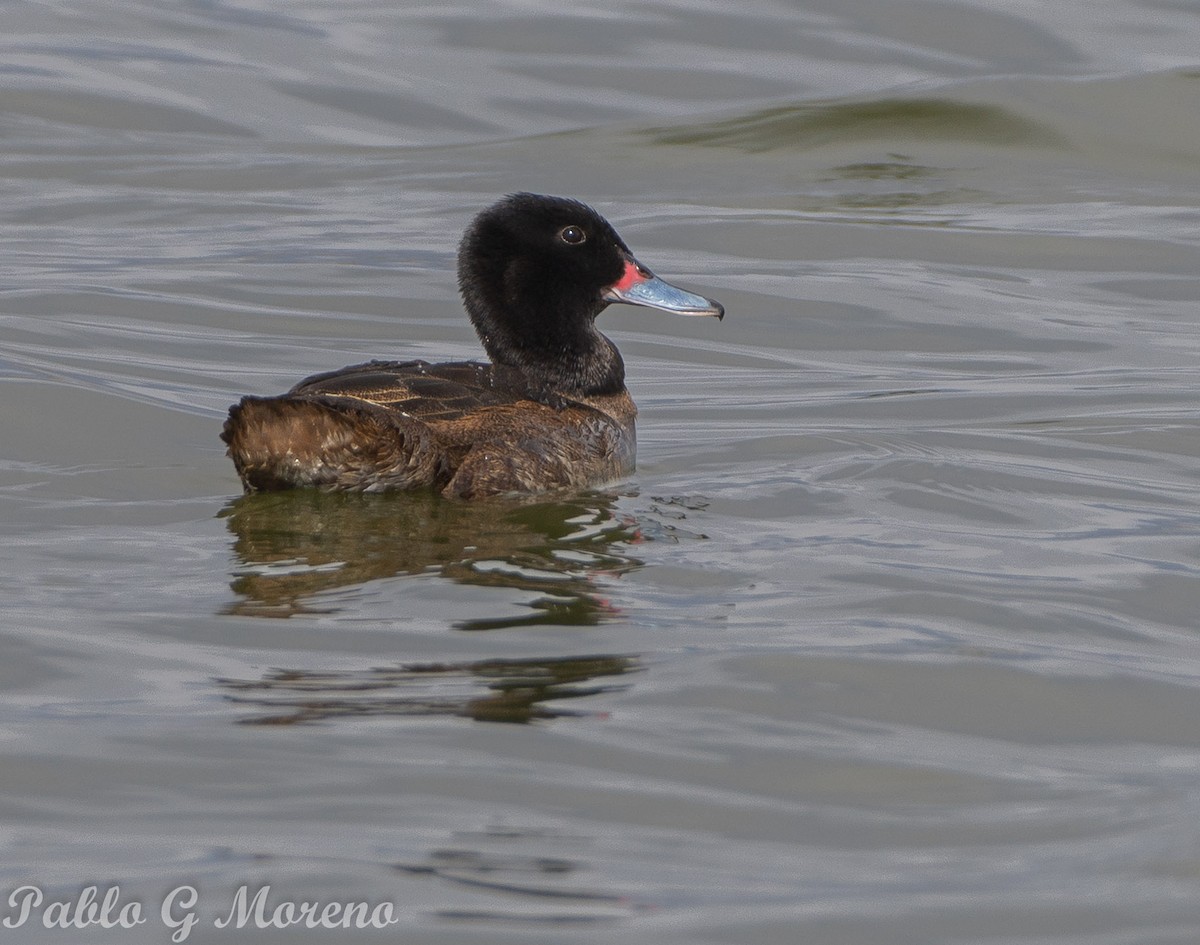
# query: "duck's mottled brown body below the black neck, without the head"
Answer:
x=461 y=429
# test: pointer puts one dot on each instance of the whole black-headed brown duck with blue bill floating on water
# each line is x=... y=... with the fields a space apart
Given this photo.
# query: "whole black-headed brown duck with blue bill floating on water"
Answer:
x=549 y=411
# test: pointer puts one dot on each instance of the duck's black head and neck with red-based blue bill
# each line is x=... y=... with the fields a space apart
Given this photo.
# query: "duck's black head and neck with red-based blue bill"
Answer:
x=535 y=274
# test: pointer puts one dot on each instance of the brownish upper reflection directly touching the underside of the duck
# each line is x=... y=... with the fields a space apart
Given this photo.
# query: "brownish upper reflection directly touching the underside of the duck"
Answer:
x=296 y=546
